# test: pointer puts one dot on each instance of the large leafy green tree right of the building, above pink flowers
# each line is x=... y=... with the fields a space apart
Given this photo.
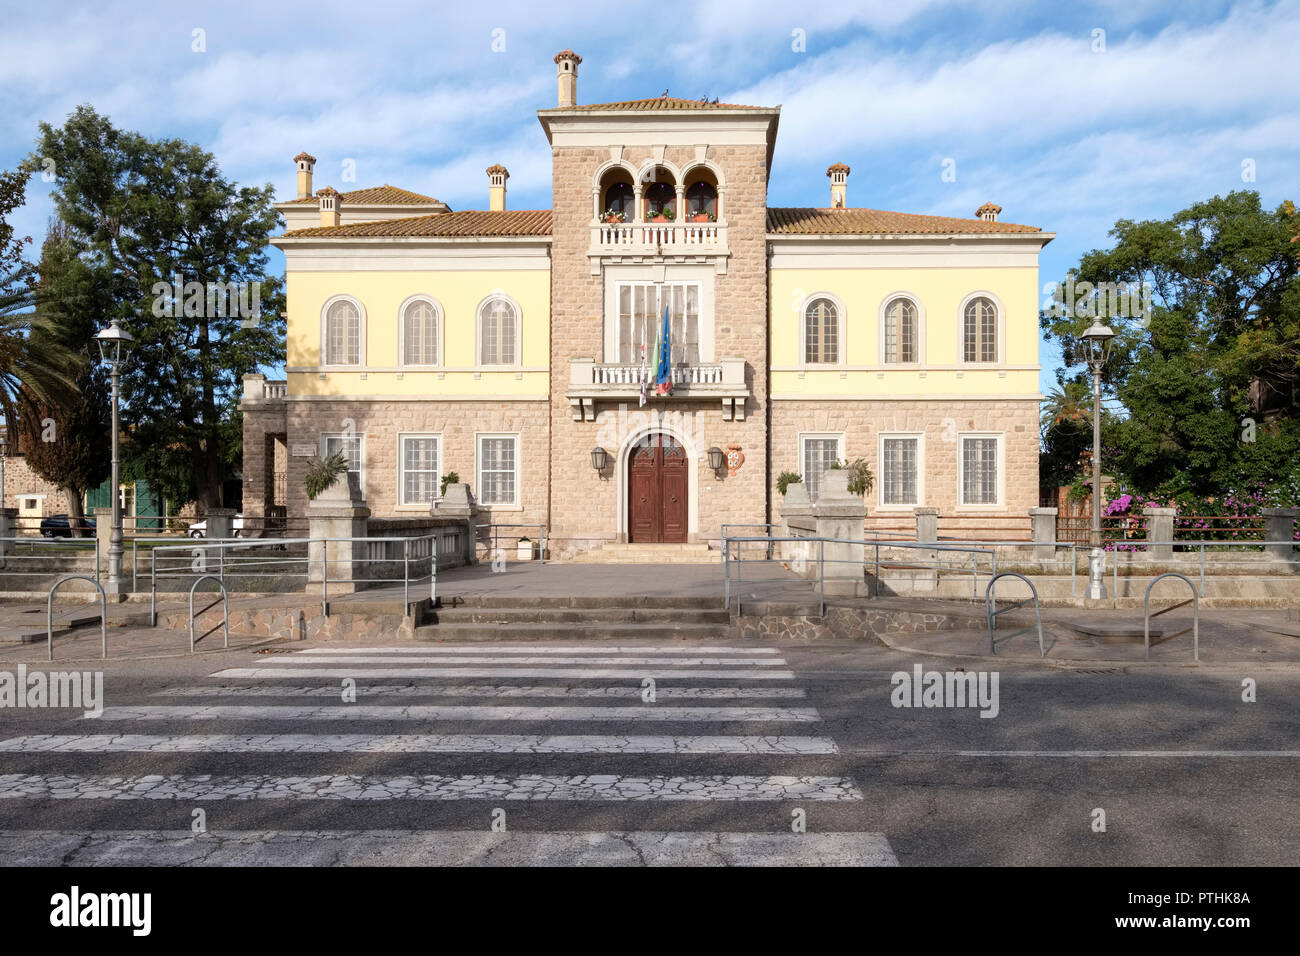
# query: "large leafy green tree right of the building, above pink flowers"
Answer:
x=1208 y=375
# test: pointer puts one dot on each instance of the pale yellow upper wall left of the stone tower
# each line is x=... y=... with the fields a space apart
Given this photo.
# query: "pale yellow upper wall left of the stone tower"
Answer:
x=383 y=295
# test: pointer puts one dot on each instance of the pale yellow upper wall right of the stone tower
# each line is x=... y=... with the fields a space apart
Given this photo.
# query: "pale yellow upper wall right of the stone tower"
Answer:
x=941 y=291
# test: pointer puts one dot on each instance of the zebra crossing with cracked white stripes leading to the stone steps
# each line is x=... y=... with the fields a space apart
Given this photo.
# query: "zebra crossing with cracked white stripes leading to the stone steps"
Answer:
x=504 y=755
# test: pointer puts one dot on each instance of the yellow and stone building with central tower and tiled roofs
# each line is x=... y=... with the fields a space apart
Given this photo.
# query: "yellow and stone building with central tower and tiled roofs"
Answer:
x=510 y=347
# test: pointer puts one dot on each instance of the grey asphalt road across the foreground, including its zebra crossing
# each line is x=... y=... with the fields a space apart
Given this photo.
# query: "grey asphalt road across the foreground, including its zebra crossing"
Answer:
x=551 y=754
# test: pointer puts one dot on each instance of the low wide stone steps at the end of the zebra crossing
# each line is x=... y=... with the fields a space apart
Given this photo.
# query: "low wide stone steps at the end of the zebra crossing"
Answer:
x=508 y=618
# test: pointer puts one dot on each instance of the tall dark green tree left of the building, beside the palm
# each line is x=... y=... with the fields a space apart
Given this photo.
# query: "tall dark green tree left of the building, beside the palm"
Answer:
x=145 y=214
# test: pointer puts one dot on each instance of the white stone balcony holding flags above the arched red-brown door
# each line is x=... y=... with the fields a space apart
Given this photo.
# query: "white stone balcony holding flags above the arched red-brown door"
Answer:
x=593 y=382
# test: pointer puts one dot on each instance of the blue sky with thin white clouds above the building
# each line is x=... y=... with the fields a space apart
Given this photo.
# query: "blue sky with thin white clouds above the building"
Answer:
x=1065 y=128
